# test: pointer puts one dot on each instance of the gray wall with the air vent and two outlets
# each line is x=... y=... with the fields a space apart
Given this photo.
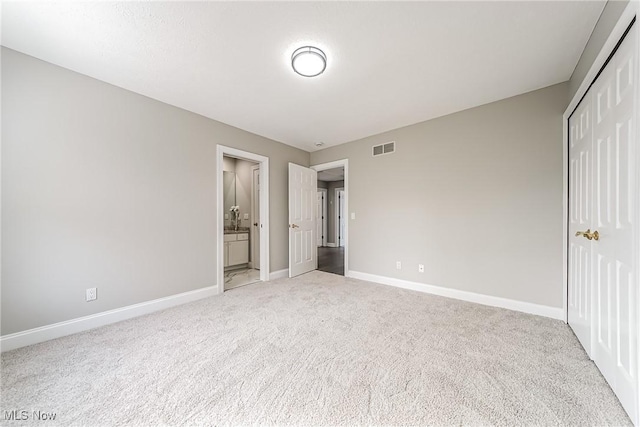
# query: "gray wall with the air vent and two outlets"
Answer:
x=476 y=196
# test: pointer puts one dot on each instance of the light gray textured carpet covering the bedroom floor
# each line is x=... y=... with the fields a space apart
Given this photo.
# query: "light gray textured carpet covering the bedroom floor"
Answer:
x=318 y=349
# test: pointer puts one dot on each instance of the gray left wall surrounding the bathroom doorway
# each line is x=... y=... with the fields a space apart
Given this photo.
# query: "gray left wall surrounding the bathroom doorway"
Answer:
x=102 y=187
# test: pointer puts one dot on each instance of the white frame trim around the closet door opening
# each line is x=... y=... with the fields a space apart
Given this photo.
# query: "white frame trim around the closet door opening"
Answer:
x=616 y=34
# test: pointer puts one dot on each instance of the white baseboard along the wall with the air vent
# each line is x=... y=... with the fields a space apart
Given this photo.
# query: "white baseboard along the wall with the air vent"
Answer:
x=525 y=307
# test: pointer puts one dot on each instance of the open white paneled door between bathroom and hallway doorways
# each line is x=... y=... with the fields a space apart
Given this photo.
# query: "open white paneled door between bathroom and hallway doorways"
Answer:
x=302 y=219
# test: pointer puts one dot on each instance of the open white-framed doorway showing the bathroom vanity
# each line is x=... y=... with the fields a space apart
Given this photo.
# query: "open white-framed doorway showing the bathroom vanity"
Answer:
x=243 y=201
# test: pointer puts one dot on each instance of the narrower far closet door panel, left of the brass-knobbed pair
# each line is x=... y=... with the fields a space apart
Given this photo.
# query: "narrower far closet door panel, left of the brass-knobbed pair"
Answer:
x=579 y=300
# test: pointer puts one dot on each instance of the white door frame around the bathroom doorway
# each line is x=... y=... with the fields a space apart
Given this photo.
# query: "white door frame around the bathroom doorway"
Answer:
x=222 y=151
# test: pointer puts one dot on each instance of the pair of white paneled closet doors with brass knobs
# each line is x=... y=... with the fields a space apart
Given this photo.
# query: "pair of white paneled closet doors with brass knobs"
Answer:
x=603 y=271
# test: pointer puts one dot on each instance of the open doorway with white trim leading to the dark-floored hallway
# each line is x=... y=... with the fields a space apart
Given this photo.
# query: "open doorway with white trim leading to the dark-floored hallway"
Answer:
x=332 y=184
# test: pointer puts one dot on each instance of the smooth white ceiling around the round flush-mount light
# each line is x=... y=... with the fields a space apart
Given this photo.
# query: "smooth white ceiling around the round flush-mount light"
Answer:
x=390 y=64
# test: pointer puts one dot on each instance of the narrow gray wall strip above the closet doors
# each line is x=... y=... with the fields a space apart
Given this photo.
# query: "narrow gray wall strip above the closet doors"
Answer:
x=606 y=22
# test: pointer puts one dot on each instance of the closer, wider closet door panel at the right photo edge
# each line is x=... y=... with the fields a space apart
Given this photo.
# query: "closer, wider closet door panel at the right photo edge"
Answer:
x=614 y=217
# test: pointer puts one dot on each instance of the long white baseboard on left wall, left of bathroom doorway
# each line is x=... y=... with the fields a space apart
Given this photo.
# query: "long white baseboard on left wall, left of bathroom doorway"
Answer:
x=80 y=324
